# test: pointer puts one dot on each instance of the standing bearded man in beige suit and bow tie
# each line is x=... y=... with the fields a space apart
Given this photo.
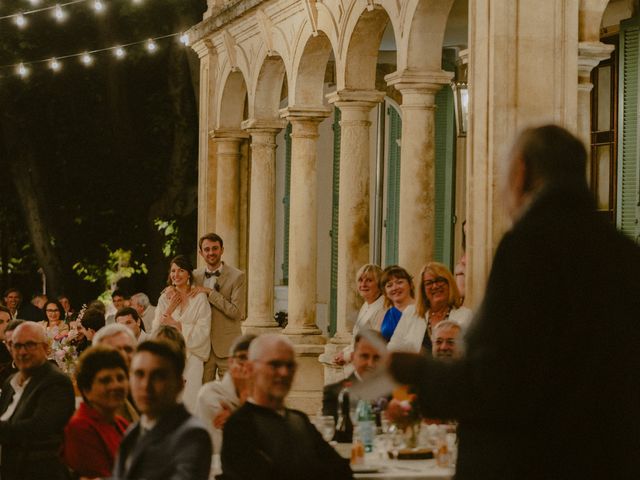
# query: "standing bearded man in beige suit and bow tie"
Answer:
x=225 y=287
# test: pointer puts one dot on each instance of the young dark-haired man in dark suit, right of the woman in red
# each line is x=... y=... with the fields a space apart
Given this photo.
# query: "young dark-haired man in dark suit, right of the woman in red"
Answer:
x=167 y=441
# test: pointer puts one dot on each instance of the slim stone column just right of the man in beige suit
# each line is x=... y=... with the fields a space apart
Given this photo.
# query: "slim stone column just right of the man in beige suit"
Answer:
x=261 y=264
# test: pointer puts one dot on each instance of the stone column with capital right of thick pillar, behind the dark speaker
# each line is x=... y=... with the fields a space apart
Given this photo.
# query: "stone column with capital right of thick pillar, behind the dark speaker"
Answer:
x=590 y=54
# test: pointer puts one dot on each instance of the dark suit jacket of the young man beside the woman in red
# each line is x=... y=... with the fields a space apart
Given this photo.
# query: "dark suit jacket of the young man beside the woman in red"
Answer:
x=177 y=448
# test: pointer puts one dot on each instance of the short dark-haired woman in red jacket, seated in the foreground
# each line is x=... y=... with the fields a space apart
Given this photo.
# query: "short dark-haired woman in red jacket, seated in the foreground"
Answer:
x=94 y=433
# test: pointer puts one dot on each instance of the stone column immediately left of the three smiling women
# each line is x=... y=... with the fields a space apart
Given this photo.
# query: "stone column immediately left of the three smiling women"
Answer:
x=353 y=216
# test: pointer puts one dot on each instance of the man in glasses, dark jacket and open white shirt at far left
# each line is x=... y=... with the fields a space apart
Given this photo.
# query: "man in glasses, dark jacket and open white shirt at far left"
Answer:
x=35 y=405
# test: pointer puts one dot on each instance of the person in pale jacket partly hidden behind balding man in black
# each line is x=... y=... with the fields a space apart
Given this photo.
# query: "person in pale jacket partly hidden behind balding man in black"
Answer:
x=217 y=400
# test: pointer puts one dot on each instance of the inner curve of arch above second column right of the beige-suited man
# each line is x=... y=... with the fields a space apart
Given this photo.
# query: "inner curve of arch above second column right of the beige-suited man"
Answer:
x=310 y=71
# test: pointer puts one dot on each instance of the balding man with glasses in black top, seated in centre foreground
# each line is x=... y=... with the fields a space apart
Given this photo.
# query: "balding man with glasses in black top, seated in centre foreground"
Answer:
x=265 y=440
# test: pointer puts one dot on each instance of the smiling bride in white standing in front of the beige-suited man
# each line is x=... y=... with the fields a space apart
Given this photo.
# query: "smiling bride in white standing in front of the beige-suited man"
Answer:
x=191 y=315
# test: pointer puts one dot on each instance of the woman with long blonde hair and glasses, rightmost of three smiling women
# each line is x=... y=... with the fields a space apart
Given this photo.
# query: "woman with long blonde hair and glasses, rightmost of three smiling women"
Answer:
x=439 y=299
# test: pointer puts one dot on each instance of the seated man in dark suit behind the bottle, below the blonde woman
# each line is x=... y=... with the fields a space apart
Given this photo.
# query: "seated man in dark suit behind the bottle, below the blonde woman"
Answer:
x=364 y=359
